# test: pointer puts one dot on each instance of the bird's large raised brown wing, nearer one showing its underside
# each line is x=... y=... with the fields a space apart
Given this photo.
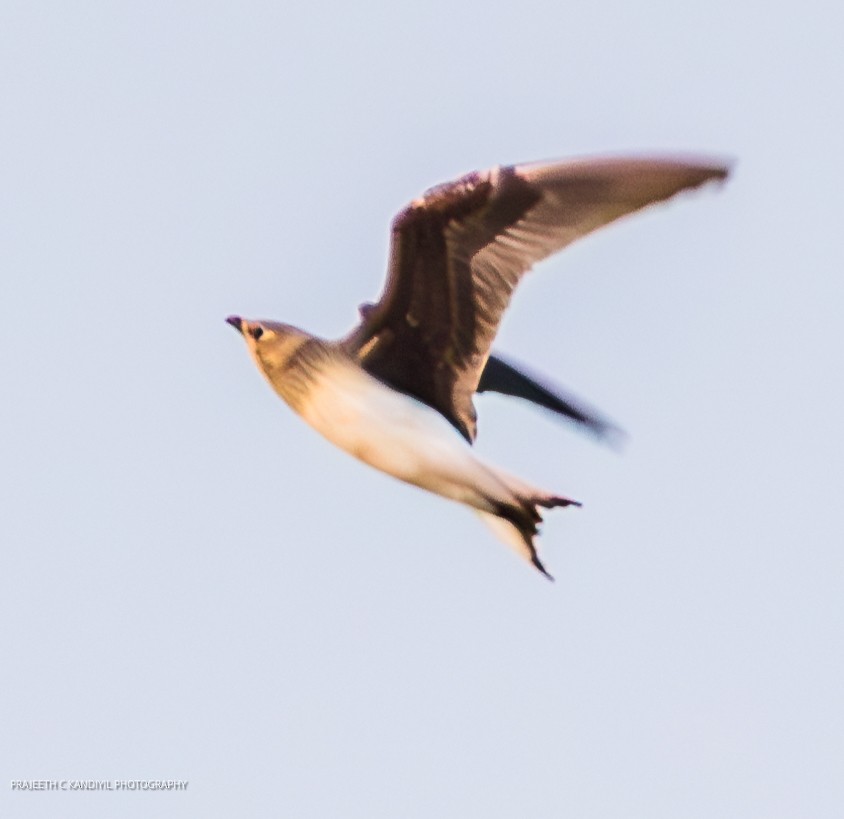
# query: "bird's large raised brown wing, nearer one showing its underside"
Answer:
x=458 y=253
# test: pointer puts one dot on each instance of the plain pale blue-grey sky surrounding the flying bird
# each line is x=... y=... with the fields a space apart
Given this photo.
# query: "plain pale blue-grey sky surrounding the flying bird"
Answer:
x=195 y=586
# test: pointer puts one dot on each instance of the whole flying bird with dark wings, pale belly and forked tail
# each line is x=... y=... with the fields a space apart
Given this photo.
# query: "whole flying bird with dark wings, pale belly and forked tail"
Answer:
x=397 y=391
